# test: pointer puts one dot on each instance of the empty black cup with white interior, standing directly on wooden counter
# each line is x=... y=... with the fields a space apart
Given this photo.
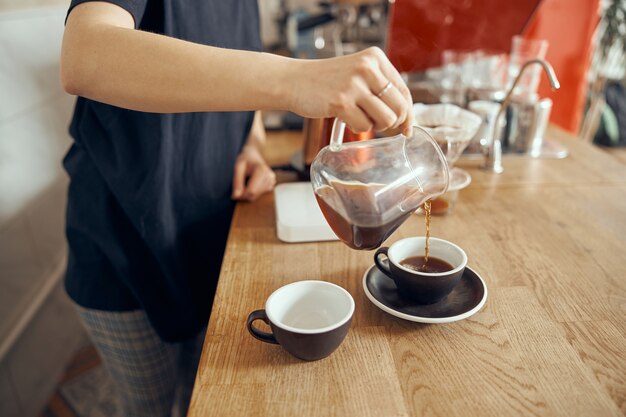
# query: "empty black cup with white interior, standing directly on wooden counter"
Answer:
x=309 y=319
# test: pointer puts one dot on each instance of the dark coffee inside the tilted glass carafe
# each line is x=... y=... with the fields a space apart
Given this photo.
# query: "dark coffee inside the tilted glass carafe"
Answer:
x=364 y=215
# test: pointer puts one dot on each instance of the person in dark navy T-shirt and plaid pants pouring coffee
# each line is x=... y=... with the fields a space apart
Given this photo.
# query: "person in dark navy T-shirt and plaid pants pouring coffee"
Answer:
x=165 y=138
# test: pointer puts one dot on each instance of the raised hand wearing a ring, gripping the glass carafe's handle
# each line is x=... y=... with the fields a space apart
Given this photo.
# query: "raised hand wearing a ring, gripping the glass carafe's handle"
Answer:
x=363 y=89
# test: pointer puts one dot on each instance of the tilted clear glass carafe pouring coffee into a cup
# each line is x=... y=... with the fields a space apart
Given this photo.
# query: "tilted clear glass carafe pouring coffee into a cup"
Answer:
x=367 y=189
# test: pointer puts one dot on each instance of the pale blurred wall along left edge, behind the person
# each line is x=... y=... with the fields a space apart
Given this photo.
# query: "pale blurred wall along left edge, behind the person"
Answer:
x=39 y=328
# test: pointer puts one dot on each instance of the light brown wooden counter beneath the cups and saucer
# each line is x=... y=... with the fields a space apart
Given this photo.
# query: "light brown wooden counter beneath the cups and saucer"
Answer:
x=549 y=239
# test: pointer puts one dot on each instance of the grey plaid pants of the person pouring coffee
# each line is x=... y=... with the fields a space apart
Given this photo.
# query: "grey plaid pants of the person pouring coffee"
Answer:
x=153 y=378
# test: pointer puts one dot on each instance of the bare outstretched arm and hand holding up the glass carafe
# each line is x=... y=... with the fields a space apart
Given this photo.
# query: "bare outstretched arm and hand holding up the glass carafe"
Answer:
x=105 y=59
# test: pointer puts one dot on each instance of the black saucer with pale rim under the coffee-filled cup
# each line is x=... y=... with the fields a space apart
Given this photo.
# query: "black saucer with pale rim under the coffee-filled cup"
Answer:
x=467 y=298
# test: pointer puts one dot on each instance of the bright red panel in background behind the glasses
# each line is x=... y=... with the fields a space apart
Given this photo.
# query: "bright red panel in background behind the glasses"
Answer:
x=420 y=30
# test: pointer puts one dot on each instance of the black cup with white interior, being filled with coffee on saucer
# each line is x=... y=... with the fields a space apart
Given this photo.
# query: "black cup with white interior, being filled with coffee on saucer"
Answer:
x=422 y=287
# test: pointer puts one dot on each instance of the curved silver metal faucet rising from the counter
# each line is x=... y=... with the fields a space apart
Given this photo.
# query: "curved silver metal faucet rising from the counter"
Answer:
x=493 y=154
